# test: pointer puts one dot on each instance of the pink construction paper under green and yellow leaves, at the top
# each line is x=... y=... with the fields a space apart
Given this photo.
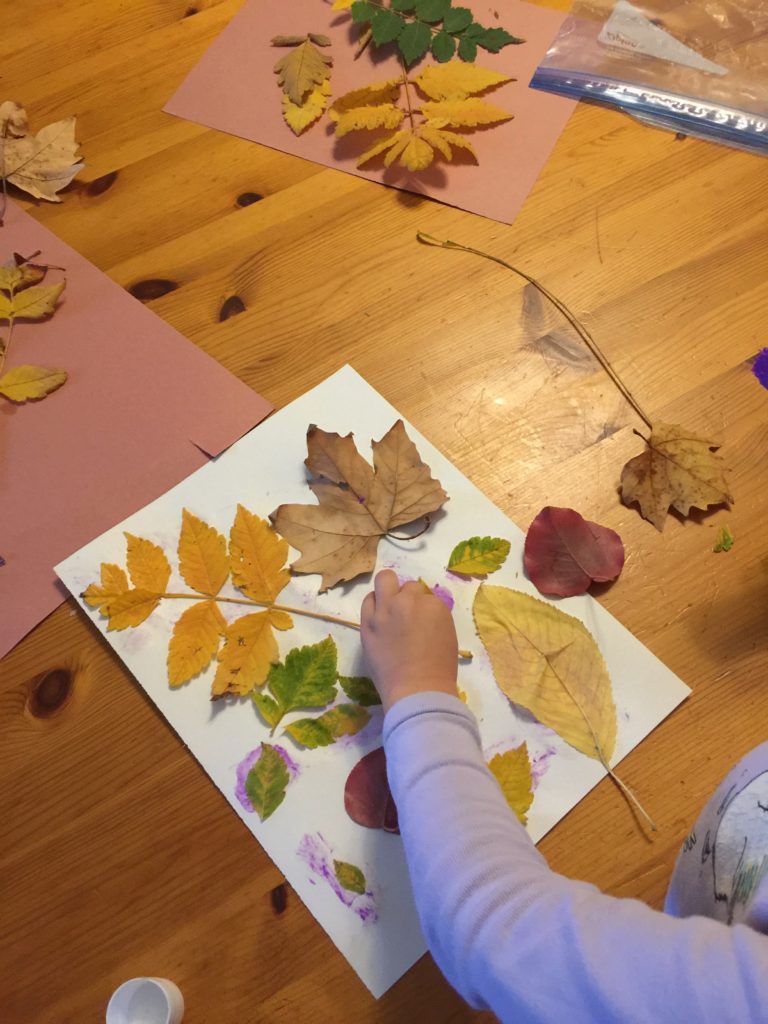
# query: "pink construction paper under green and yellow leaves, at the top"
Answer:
x=234 y=89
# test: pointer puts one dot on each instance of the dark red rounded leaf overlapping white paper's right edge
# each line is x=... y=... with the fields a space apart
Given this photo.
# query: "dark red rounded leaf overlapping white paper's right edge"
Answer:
x=565 y=553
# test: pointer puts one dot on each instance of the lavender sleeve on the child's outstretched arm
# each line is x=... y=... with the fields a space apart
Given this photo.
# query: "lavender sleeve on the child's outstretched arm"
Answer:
x=534 y=947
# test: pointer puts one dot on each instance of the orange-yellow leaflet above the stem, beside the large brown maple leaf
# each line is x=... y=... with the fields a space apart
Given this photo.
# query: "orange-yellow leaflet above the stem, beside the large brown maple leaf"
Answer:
x=258 y=558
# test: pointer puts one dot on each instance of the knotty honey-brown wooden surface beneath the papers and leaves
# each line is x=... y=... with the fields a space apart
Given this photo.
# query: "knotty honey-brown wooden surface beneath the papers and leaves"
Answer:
x=118 y=857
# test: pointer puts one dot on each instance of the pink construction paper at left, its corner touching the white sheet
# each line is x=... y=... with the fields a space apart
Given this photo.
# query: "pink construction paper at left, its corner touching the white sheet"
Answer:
x=142 y=410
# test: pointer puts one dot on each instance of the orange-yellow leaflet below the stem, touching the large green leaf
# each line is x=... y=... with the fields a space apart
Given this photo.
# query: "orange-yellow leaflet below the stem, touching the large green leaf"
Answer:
x=249 y=650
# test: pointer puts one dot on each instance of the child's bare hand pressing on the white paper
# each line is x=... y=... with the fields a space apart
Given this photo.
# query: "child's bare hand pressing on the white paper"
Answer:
x=409 y=641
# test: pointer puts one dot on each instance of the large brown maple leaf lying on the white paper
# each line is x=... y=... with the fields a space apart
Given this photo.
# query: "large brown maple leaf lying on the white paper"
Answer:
x=358 y=505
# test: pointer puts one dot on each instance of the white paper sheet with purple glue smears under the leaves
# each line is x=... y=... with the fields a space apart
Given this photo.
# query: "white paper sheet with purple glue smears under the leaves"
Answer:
x=378 y=932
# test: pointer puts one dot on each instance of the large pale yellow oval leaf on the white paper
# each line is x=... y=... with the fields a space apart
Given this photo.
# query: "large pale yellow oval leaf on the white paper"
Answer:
x=548 y=663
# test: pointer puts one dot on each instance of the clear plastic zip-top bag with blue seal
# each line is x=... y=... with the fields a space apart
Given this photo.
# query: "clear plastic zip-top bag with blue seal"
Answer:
x=700 y=69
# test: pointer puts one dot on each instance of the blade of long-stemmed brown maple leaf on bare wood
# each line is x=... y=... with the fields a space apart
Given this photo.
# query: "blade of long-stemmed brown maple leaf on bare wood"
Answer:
x=679 y=471
